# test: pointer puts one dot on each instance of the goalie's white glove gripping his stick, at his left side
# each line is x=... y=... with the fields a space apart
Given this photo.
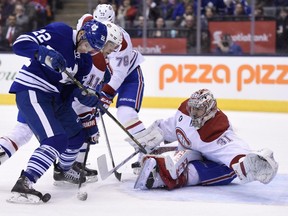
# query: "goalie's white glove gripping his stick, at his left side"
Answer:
x=149 y=138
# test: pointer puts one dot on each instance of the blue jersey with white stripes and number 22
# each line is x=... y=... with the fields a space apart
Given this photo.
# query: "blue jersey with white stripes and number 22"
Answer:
x=60 y=37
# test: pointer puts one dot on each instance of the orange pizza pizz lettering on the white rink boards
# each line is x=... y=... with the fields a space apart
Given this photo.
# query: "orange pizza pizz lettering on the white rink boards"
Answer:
x=222 y=74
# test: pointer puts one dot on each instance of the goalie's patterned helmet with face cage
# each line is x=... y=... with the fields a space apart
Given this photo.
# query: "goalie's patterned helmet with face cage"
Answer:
x=201 y=107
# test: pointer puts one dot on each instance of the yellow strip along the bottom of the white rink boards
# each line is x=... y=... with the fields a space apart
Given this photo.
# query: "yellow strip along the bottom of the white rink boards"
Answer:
x=224 y=104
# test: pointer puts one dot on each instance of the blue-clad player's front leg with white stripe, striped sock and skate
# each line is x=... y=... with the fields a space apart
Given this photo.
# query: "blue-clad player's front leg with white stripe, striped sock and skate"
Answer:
x=38 y=110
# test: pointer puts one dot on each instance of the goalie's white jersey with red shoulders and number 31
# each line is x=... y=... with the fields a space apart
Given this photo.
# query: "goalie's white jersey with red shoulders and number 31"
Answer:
x=216 y=140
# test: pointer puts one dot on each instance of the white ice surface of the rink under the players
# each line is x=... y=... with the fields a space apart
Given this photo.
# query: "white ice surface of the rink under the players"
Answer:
x=113 y=198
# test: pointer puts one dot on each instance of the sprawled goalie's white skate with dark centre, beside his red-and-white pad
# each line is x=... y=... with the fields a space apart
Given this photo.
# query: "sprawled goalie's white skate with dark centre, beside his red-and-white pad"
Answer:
x=149 y=177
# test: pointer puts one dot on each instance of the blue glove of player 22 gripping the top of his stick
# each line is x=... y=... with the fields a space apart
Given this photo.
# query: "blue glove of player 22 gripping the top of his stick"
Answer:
x=51 y=59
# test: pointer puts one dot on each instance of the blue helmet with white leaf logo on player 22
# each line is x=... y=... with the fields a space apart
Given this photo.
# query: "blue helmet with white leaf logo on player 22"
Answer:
x=95 y=34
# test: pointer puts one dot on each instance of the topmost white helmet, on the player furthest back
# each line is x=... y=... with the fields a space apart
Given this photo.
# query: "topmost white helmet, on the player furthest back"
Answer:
x=104 y=12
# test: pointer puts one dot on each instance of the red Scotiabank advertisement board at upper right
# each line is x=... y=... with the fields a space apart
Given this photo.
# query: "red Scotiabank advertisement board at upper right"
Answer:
x=264 y=36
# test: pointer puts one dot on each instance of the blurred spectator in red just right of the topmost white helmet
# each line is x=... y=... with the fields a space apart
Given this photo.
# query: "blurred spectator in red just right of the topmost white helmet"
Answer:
x=126 y=14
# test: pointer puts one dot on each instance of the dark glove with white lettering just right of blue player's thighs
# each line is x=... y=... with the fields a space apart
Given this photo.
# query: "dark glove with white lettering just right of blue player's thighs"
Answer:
x=88 y=120
